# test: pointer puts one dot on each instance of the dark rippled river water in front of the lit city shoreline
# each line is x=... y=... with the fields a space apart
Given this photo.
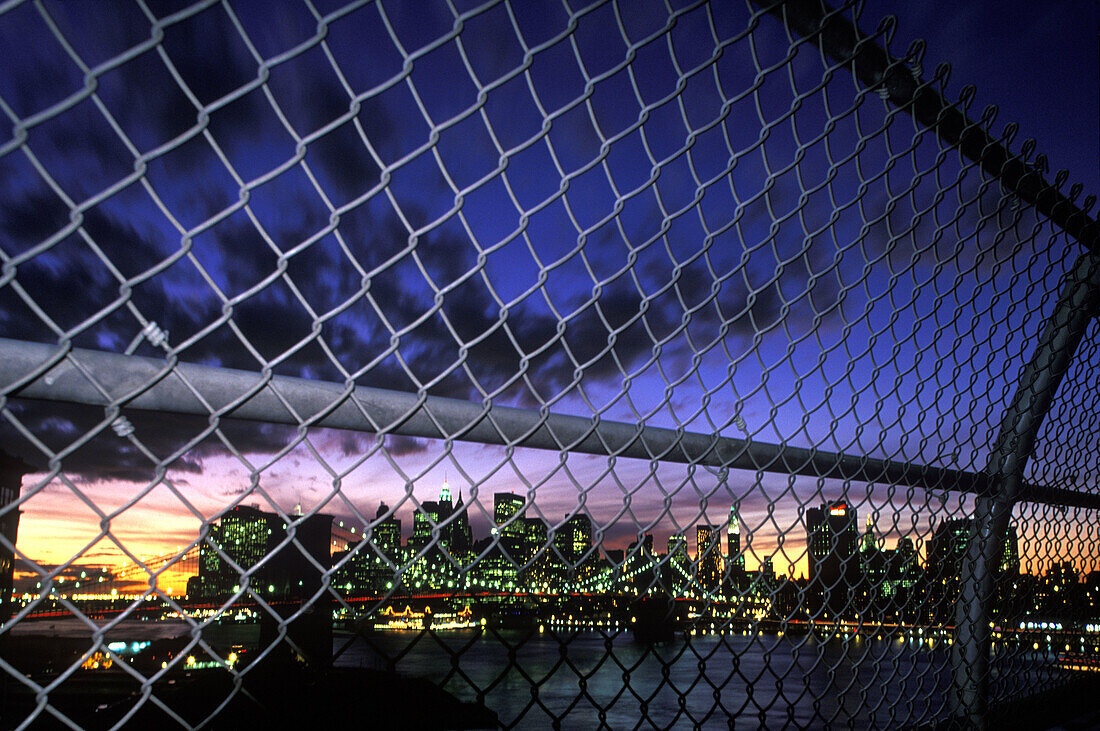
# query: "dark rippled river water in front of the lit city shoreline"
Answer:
x=708 y=681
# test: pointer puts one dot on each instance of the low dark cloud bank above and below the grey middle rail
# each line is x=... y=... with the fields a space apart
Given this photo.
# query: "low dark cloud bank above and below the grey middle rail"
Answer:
x=324 y=278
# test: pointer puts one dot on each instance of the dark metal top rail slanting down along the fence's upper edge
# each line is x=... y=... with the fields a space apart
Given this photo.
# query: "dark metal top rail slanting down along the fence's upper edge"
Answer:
x=874 y=68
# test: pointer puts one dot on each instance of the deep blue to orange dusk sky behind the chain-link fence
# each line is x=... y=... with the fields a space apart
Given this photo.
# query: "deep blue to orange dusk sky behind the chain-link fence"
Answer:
x=325 y=215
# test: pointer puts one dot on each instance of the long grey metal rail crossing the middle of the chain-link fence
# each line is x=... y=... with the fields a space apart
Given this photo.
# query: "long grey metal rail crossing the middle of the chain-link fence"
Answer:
x=158 y=385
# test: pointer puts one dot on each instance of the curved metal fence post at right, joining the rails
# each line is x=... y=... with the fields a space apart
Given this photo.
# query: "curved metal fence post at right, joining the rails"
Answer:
x=1039 y=383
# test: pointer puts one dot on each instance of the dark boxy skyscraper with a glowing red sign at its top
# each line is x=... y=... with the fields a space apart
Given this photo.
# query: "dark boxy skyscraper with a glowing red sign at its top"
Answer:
x=832 y=542
